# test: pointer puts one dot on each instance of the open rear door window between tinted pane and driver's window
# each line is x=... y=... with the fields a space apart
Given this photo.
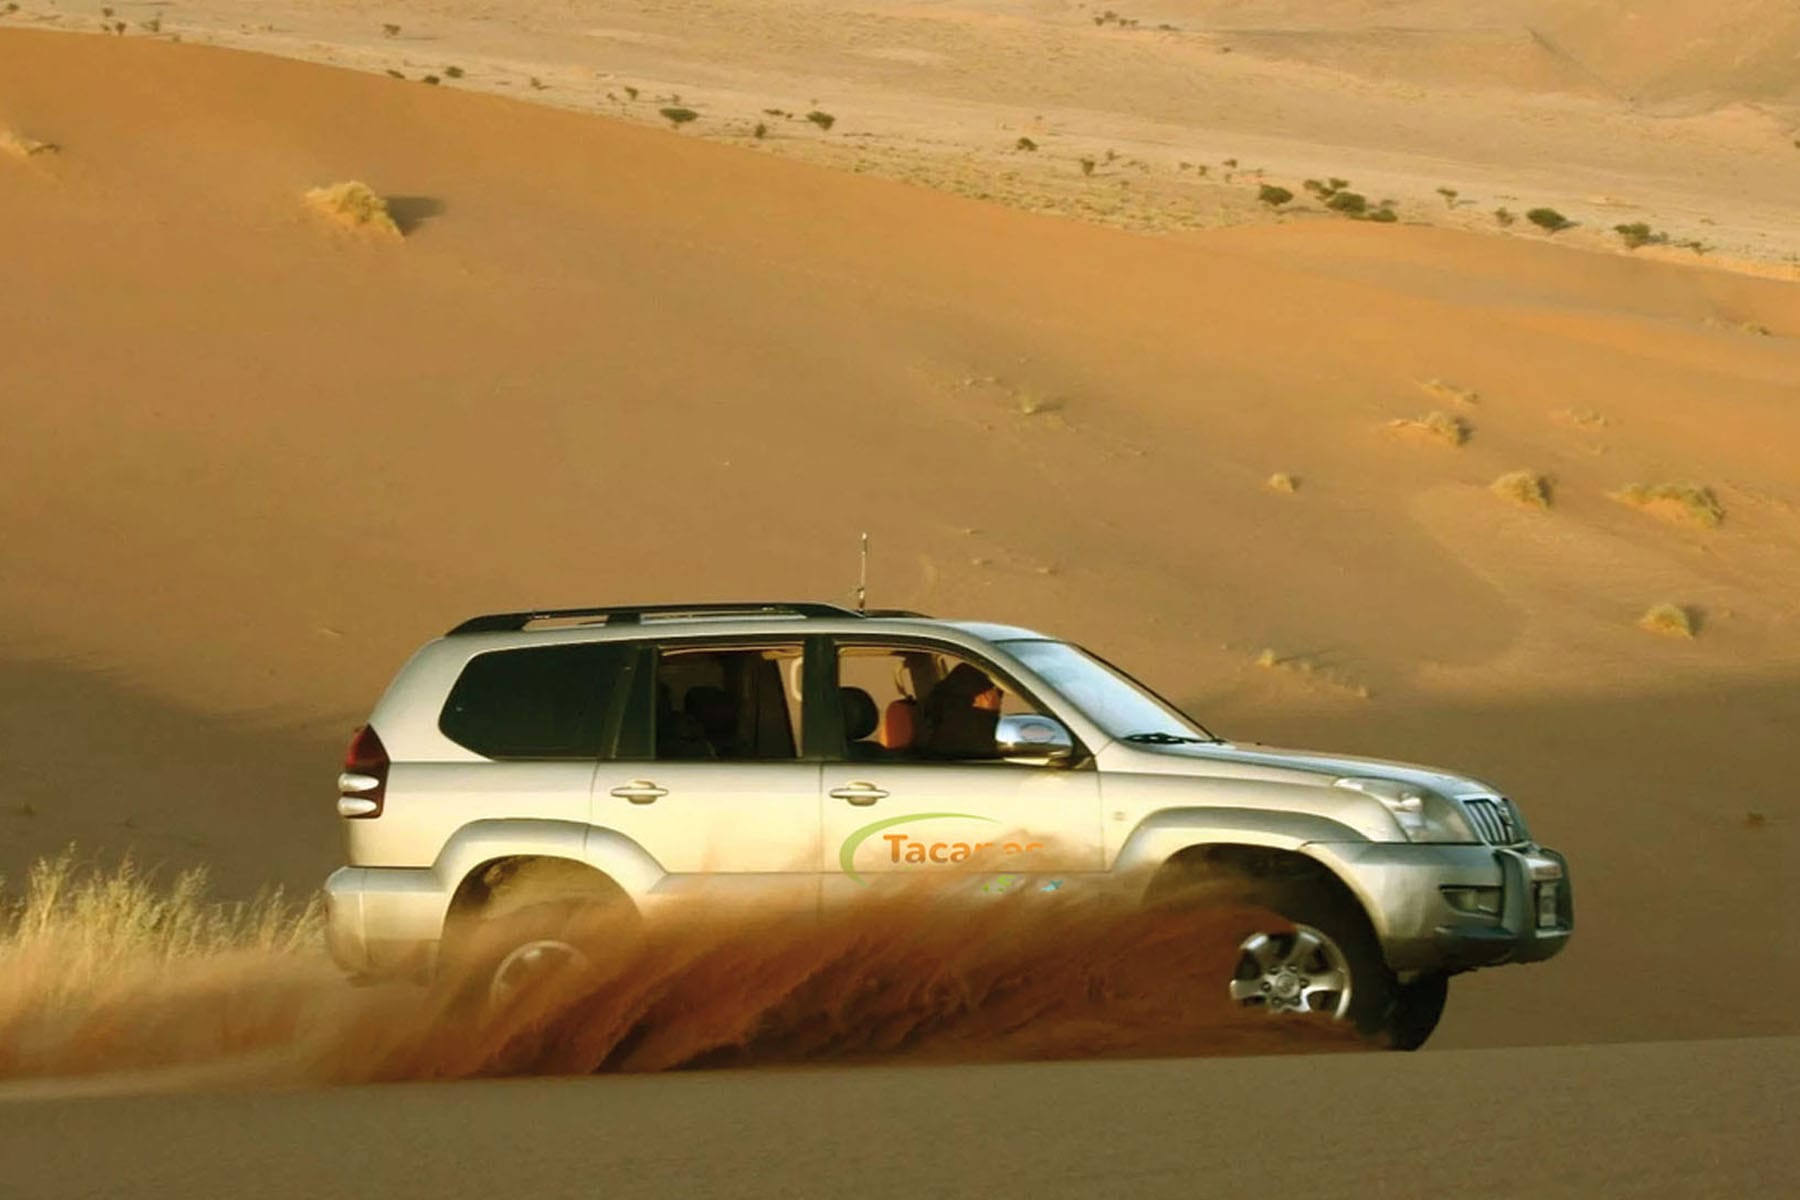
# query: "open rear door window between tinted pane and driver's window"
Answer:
x=728 y=703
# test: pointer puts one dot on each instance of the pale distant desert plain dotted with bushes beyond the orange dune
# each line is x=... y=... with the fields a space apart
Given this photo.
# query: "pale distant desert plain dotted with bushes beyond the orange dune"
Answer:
x=1680 y=114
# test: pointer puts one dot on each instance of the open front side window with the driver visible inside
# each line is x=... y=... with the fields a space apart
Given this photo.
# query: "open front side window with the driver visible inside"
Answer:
x=921 y=704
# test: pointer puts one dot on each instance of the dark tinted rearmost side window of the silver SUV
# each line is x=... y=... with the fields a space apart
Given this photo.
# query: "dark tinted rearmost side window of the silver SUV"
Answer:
x=544 y=703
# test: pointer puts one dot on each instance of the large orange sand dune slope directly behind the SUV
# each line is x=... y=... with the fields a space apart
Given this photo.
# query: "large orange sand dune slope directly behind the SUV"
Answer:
x=251 y=461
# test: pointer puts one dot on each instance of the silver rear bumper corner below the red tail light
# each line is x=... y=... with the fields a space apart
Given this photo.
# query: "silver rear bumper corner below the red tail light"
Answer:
x=384 y=920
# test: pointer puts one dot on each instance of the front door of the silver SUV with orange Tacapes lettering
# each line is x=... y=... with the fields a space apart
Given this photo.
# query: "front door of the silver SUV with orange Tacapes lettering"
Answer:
x=919 y=789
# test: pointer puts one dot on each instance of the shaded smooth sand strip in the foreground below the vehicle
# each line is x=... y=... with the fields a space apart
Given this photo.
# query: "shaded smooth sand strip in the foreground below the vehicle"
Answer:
x=1680 y=1120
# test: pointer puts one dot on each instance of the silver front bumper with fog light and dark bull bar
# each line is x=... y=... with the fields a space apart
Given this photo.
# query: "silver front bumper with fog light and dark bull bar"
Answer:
x=1527 y=911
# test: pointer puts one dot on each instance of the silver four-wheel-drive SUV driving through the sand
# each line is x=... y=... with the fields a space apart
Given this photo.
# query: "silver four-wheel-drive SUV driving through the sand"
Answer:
x=625 y=755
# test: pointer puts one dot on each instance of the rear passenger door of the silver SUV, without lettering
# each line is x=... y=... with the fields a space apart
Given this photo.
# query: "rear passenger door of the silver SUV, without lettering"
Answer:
x=706 y=767
